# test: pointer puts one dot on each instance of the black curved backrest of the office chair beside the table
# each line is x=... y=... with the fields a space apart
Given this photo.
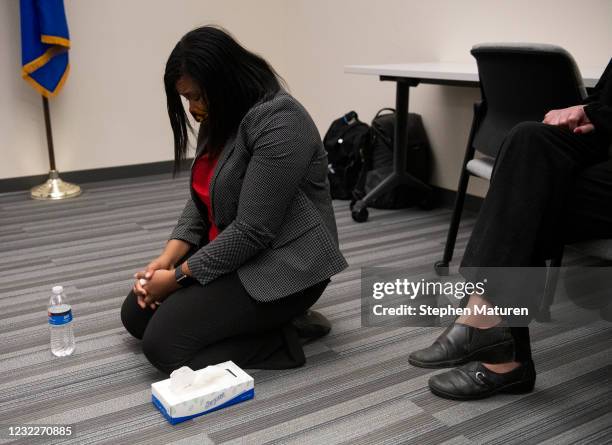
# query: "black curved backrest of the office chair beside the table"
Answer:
x=522 y=82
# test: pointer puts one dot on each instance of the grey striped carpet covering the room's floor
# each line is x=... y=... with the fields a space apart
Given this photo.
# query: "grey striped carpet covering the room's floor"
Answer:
x=357 y=386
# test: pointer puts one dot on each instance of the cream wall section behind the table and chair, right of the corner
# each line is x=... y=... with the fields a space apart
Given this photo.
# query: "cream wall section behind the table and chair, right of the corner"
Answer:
x=330 y=34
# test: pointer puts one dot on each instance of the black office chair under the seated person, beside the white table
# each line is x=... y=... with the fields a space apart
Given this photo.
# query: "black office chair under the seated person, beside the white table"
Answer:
x=518 y=82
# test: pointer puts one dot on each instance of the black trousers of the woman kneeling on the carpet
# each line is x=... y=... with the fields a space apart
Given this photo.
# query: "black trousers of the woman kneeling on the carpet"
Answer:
x=197 y=326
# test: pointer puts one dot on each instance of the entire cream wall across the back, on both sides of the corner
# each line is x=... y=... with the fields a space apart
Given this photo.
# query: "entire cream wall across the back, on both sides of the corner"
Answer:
x=112 y=109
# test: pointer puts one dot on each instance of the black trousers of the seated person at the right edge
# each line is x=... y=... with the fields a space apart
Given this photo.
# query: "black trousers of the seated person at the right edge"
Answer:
x=549 y=187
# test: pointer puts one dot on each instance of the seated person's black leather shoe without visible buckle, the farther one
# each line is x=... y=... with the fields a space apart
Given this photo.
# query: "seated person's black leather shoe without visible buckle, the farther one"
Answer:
x=460 y=344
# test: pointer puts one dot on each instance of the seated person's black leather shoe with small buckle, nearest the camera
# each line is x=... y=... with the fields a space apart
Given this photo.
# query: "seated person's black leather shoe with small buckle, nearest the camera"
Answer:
x=474 y=381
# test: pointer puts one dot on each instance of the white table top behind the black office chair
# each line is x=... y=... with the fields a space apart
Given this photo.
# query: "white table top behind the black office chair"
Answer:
x=458 y=72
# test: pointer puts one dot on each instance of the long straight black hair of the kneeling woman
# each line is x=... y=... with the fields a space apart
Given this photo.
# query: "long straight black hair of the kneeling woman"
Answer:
x=230 y=77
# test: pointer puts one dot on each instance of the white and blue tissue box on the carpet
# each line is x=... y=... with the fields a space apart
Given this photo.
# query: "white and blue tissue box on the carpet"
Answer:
x=235 y=387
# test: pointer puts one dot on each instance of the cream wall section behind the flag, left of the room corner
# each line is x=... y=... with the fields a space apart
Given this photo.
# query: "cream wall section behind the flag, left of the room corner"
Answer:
x=112 y=109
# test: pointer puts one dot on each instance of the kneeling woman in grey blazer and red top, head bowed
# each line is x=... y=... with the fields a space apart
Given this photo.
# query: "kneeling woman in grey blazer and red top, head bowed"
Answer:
x=256 y=243
